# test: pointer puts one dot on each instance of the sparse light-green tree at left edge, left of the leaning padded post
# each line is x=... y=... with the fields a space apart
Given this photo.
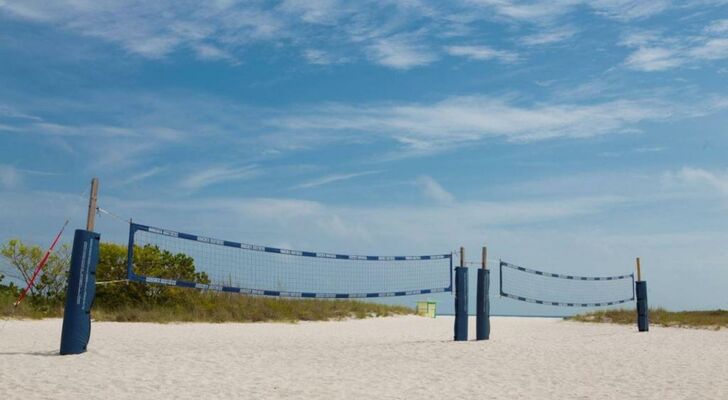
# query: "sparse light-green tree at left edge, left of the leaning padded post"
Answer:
x=51 y=283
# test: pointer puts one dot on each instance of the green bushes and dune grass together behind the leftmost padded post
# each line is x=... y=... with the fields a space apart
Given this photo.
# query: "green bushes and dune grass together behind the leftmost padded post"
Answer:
x=120 y=300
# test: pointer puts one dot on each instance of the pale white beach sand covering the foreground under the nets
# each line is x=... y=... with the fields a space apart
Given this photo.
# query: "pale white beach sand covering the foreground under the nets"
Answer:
x=384 y=358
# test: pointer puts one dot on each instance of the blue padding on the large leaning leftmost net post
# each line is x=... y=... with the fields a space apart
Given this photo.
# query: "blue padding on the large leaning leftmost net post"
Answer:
x=80 y=293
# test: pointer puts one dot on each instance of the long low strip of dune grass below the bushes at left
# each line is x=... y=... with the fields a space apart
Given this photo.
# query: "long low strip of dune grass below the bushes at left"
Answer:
x=215 y=307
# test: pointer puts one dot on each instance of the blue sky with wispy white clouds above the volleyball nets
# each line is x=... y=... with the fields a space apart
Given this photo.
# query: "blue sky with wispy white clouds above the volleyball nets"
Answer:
x=568 y=136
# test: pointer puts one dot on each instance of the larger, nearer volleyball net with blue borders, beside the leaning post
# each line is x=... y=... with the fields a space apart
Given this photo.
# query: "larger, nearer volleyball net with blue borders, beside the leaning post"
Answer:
x=166 y=257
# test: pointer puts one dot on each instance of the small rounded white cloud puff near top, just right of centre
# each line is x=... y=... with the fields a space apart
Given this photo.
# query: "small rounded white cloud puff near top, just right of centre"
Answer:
x=400 y=52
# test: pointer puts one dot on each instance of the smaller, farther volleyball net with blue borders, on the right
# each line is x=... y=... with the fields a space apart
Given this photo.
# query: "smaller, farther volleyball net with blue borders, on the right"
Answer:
x=548 y=288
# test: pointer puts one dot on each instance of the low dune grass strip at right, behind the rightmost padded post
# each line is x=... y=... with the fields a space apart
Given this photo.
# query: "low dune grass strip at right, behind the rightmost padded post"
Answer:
x=710 y=319
